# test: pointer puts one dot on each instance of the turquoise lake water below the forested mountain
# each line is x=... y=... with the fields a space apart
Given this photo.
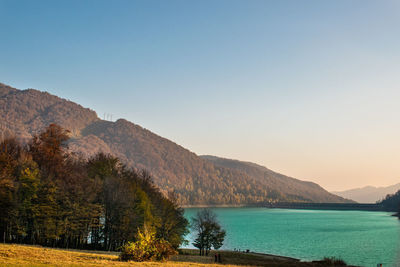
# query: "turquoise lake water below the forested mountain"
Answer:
x=359 y=237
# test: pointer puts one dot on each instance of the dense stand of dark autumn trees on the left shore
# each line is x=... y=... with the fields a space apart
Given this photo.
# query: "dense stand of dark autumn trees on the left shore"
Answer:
x=51 y=197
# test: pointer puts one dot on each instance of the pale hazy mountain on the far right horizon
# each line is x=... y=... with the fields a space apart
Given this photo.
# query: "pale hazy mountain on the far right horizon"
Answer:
x=369 y=194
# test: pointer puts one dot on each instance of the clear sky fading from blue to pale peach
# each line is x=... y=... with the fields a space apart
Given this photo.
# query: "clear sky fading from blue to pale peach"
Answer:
x=307 y=88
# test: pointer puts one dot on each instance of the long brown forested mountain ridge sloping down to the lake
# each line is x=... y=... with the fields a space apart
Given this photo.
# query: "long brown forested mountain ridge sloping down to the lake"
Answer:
x=196 y=180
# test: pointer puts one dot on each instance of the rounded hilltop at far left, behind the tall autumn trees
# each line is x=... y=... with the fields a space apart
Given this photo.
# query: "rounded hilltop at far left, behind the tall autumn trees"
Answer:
x=27 y=112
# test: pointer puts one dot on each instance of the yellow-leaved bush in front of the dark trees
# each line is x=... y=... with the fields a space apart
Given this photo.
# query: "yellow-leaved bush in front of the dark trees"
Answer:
x=147 y=248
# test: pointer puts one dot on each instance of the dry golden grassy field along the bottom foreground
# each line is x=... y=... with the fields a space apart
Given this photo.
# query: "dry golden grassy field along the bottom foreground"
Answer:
x=23 y=255
